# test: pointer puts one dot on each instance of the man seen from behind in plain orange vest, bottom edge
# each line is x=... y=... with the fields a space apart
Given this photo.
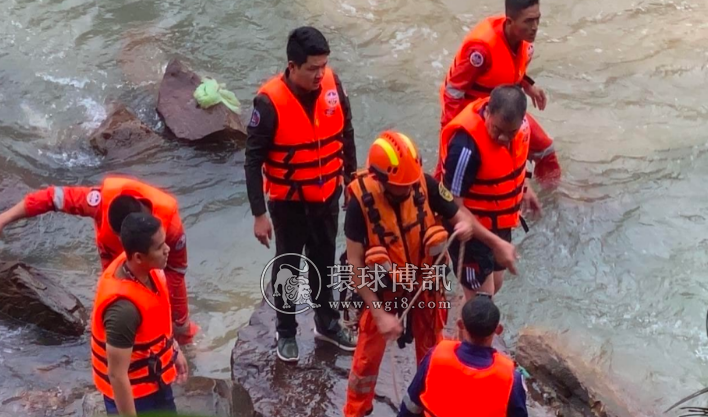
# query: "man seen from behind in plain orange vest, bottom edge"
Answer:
x=468 y=377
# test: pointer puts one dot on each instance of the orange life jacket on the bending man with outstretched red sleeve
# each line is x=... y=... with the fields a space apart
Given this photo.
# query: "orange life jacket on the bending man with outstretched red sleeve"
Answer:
x=164 y=207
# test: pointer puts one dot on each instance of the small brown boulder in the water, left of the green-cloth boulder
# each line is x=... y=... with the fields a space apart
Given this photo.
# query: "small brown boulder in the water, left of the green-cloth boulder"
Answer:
x=122 y=135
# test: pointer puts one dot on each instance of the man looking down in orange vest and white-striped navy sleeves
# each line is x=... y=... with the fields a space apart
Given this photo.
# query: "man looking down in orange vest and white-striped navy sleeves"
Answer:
x=484 y=149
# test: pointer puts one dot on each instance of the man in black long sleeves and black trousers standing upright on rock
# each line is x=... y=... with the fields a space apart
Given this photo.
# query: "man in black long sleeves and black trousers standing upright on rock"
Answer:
x=301 y=139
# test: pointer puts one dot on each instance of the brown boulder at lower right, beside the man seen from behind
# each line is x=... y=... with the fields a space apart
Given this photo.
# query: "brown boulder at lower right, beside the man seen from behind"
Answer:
x=567 y=382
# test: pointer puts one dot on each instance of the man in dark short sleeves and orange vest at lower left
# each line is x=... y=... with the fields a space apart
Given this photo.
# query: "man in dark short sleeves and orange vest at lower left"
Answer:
x=135 y=359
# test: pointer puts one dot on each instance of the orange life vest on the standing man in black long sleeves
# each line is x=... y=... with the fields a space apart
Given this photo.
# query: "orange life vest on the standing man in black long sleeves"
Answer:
x=305 y=160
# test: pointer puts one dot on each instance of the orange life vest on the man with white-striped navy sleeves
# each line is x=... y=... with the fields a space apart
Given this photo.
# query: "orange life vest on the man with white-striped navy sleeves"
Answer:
x=496 y=194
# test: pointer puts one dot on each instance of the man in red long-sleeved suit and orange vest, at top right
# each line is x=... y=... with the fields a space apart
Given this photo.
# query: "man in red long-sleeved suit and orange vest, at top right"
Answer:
x=497 y=51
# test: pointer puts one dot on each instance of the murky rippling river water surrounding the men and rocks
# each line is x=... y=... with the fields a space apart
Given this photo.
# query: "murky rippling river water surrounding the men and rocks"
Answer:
x=618 y=262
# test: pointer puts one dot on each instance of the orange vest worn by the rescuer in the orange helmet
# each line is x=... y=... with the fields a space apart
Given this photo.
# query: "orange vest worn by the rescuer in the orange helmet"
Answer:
x=402 y=235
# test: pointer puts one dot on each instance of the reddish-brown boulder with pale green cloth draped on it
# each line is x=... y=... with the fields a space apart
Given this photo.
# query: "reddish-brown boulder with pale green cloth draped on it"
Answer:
x=183 y=116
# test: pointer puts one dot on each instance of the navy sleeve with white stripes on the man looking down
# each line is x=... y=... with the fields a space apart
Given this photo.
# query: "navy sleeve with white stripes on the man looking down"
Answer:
x=461 y=164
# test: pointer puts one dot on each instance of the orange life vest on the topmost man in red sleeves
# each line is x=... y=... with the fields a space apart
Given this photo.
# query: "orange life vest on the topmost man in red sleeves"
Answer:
x=505 y=66
